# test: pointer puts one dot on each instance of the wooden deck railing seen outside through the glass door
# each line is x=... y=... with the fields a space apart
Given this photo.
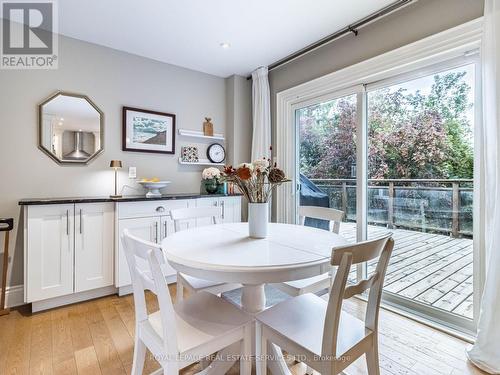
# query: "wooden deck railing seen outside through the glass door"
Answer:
x=428 y=205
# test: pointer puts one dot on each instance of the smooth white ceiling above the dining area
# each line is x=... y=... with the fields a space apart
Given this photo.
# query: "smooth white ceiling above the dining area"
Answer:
x=188 y=33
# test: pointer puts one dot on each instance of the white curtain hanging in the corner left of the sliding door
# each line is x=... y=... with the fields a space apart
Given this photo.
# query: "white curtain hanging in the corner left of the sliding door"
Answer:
x=261 y=110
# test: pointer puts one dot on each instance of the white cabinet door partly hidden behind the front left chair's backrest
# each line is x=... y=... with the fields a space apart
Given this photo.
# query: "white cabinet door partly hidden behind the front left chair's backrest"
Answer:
x=147 y=228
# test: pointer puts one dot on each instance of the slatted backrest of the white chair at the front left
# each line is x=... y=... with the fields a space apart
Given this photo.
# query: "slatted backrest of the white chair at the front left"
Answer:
x=152 y=279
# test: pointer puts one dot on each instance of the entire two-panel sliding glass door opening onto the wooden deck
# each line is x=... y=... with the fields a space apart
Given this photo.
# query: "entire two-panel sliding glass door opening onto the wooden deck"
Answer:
x=420 y=185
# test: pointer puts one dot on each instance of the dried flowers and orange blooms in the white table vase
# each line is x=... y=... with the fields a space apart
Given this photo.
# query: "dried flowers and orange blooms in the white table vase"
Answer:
x=256 y=180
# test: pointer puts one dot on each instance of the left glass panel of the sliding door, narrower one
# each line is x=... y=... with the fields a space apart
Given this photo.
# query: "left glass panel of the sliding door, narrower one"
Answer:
x=326 y=131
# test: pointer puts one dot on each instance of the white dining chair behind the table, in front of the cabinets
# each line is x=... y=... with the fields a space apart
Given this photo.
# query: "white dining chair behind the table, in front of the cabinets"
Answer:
x=193 y=284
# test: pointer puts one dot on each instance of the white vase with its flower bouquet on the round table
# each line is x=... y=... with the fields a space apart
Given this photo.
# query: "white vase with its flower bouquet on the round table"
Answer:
x=257 y=182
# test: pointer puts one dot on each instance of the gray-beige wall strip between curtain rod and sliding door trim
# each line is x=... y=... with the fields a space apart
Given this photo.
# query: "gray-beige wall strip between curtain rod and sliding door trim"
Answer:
x=414 y=22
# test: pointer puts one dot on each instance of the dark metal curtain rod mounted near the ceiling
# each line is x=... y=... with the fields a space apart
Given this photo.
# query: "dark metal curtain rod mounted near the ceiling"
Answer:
x=352 y=28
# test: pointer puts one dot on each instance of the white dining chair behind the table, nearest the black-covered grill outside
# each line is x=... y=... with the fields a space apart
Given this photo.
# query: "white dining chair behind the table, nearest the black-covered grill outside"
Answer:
x=318 y=283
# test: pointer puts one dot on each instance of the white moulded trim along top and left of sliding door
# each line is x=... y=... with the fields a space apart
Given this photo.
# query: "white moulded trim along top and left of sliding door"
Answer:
x=444 y=46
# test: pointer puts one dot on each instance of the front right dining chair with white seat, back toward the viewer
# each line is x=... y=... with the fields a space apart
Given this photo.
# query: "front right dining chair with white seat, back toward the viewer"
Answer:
x=326 y=338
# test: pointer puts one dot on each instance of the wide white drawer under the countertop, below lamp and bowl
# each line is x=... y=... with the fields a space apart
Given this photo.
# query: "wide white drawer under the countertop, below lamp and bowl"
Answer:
x=128 y=210
